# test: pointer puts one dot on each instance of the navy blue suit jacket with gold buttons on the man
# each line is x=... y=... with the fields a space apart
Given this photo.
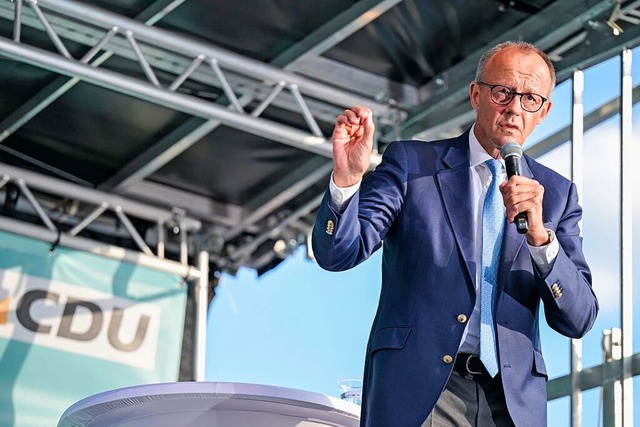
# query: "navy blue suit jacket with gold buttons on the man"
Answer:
x=418 y=201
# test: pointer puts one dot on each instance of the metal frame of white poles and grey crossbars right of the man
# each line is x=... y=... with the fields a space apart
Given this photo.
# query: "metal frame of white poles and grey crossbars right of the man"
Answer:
x=615 y=374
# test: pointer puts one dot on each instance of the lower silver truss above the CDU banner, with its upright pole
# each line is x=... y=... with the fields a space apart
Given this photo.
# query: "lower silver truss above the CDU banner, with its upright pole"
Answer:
x=99 y=204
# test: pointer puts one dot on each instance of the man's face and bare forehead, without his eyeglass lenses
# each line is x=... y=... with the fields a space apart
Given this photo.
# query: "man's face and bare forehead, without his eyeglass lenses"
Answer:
x=498 y=124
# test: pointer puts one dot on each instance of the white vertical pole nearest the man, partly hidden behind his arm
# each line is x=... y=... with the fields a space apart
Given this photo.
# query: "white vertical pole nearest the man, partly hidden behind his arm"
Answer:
x=577 y=160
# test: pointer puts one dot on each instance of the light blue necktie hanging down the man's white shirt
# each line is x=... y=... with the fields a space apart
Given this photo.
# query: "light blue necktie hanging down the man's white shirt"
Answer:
x=492 y=229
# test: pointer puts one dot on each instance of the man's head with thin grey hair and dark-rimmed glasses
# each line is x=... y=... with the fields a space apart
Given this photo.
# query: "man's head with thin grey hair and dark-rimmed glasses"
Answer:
x=511 y=93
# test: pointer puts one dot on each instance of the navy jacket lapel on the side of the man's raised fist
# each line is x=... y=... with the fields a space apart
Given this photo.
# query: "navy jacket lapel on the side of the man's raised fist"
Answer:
x=454 y=182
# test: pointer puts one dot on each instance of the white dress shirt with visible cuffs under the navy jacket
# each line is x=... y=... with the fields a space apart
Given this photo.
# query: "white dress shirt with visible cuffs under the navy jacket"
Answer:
x=543 y=256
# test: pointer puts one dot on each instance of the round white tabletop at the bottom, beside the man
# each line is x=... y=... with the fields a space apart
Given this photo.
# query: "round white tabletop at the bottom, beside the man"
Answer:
x=210 y=404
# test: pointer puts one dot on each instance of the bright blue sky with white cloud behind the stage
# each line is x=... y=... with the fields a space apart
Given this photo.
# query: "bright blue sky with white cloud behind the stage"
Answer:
x=301 y=327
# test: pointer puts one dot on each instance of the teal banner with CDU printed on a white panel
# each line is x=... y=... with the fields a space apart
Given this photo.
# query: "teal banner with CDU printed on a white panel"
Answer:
x=73 y=324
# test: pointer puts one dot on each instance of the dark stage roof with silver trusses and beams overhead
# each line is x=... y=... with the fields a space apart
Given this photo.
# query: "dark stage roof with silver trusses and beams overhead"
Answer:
x=220 y=111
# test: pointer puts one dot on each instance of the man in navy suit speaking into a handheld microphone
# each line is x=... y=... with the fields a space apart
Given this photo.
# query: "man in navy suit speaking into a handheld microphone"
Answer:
x=455 y=339
